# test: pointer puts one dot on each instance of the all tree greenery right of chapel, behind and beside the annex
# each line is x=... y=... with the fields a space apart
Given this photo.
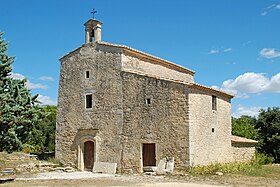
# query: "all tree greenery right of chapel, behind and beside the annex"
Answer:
x=265 y=129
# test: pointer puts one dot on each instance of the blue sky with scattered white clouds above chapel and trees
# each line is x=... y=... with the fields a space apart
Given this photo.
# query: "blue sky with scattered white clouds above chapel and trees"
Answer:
x=233 y=45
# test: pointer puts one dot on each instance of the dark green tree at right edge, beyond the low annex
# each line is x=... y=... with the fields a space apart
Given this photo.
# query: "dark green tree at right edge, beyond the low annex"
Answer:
x=269 y=125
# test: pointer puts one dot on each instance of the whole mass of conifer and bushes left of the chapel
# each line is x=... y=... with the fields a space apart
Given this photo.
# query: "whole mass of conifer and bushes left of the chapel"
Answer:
x=24 y=125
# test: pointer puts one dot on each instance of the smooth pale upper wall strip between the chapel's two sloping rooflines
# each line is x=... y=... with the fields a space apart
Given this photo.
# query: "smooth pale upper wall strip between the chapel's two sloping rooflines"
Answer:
x=134 y=64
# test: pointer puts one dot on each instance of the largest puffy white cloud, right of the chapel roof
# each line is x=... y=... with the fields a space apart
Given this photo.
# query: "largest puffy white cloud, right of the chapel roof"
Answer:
x=251 y=83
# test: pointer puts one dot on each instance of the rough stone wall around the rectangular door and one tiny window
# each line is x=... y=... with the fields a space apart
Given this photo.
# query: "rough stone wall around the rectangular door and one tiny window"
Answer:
x=163 y=121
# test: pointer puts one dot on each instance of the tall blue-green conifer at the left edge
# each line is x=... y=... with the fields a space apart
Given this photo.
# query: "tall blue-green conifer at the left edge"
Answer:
x=18 y=109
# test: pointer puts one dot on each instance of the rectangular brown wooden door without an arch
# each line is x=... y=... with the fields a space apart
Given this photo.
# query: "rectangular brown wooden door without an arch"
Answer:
x=149 y=154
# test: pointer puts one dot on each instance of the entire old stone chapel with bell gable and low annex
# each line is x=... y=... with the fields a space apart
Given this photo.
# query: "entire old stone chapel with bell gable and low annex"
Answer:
x=120 y=105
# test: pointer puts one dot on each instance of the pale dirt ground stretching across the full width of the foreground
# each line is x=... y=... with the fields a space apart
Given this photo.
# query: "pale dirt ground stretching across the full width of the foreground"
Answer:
x=91 y=179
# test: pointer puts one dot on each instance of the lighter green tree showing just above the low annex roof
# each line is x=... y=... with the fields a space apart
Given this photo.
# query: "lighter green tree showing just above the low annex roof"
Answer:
x=245 y=127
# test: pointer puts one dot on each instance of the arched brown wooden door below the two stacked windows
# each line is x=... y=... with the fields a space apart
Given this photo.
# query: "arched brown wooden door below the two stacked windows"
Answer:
x=88 y=155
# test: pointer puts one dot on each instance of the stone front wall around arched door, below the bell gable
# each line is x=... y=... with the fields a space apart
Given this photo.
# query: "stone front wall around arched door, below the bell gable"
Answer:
x=106 y=115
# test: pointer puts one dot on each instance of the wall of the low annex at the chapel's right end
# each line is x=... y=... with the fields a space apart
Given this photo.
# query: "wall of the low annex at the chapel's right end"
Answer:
x=243 y=152
